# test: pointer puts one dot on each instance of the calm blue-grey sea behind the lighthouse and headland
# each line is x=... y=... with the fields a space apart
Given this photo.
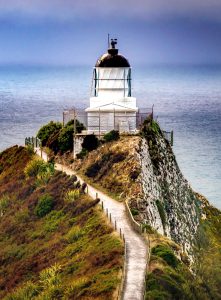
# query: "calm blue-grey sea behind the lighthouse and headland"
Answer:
x=186 y=99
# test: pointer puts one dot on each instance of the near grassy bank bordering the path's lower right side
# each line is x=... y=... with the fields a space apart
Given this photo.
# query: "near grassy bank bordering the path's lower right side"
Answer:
x=169 y=277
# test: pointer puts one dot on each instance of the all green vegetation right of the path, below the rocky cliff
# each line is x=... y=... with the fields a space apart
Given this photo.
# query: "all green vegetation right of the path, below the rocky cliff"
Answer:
x=170 y=278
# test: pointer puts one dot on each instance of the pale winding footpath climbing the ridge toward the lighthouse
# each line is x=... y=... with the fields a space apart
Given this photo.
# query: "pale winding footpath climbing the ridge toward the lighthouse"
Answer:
x=136 y=248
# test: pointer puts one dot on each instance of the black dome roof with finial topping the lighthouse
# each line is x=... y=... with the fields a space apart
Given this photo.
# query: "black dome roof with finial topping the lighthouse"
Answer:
x=112 y=59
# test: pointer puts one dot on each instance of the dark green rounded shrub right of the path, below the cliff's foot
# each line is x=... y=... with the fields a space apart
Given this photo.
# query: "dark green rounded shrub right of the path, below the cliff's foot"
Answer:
x=166 y=254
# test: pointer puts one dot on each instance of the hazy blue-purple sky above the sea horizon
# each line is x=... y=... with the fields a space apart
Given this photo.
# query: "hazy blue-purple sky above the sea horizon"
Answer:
x=65 y=32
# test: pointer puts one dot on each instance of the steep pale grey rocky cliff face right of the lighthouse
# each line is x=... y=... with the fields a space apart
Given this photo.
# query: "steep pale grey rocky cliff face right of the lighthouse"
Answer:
x=168 y=203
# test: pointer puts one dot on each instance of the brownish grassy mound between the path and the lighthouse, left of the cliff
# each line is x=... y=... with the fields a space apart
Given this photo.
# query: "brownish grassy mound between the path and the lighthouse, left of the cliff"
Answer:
x=111 y=167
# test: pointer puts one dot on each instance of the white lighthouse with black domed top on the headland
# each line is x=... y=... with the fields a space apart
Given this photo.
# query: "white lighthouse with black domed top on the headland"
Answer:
x=111 y=104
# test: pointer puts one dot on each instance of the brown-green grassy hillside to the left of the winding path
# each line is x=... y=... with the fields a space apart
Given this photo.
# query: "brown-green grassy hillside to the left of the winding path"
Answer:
x=67 y=253
